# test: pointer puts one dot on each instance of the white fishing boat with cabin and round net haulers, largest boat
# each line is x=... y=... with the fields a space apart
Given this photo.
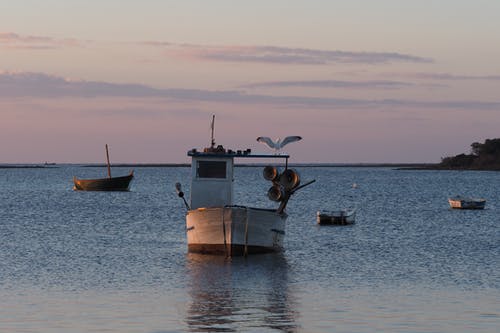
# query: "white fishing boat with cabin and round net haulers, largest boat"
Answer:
x=214 y=224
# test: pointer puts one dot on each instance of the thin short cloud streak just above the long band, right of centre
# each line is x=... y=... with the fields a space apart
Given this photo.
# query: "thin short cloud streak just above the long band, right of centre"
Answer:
x=373 y=84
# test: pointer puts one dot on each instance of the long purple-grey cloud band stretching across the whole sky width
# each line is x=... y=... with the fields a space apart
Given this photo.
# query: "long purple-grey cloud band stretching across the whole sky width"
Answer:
x=47 y=86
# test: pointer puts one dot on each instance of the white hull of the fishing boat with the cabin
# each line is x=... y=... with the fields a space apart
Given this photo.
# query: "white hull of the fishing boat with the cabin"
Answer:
x=234 y=230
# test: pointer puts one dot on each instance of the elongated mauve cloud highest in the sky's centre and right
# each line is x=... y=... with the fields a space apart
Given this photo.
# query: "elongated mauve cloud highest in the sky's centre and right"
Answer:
x=283 y=55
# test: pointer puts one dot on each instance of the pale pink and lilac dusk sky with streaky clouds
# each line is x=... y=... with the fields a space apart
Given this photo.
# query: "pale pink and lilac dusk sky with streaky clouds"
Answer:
x=361 y=81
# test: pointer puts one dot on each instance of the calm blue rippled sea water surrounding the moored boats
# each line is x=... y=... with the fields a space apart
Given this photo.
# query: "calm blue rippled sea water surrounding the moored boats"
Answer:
x=117 y=262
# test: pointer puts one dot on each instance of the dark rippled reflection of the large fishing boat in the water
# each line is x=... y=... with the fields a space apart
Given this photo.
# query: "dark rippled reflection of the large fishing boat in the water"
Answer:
x=239 y=294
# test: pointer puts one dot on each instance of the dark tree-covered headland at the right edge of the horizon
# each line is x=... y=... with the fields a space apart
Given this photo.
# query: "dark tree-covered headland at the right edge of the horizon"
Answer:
x=483 y=156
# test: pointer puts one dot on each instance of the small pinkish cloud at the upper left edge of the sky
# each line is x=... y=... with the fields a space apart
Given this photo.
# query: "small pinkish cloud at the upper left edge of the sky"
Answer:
x=16 y=41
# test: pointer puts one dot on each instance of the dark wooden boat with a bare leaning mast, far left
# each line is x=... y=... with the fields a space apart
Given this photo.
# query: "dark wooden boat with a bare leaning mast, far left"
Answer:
x=104 y=184
